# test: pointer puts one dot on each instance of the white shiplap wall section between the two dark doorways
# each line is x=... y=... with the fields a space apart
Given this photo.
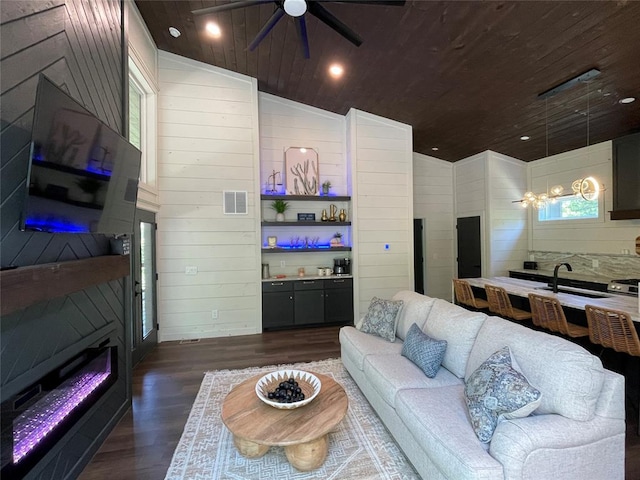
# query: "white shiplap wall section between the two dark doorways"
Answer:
x=433 y=202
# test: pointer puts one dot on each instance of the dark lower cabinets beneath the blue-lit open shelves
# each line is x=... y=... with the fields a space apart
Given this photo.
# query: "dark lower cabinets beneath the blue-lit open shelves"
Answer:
x=288 y=304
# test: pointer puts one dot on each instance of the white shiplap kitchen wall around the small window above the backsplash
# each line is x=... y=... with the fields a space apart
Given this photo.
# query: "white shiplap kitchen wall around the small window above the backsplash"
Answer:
x=585 y=236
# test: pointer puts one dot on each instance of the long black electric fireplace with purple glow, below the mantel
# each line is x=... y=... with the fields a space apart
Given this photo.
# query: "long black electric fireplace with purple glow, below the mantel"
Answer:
x=41 y=414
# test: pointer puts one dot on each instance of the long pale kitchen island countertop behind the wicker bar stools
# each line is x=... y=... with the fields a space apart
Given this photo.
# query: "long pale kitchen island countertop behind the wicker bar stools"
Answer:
x=522 y=288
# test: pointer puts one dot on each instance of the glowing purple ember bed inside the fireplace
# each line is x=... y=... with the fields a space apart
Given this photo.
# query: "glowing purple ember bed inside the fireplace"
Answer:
x=39 y=420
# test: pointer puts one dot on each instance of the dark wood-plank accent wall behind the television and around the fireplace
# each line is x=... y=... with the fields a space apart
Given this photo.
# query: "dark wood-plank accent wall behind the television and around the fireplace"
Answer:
x=77 y=44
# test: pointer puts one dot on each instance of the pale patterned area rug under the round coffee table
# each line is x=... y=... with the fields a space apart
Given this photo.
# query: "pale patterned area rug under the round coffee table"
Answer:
x=359 y=448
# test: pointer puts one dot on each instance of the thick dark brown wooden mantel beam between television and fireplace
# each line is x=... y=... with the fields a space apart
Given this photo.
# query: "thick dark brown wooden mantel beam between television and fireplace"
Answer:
x=25 y=286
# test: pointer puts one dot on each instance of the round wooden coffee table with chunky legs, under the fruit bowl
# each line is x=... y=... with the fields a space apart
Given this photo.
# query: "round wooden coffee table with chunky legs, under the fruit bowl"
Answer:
x=302 y=431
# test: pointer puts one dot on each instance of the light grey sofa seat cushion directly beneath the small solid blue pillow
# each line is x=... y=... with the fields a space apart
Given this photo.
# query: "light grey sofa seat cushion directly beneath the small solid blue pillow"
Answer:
x=390 y=374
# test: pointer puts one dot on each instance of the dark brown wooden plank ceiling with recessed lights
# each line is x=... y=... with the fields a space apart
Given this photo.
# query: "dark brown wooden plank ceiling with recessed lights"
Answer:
x=465 y=75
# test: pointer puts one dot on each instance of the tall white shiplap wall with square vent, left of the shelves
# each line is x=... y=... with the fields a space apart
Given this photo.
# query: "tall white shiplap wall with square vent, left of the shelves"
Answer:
x=208 y=143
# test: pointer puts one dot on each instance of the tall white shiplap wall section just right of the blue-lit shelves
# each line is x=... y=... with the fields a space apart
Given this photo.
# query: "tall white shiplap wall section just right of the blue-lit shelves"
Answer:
x=381 y=163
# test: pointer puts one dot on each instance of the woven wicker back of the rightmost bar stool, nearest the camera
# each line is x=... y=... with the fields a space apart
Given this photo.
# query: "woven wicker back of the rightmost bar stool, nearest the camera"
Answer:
x=612 y=329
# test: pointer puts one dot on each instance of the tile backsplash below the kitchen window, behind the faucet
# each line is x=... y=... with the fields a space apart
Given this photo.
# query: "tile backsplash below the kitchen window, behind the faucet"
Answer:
x=612 y=266
